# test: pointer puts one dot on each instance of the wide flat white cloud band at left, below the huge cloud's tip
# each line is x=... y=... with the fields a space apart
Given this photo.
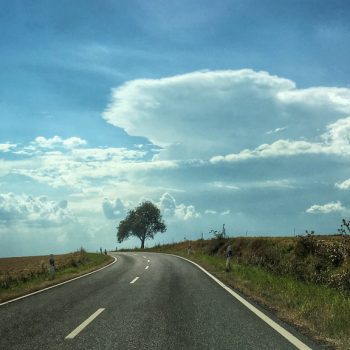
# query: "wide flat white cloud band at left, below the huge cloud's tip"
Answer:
x=78 y=168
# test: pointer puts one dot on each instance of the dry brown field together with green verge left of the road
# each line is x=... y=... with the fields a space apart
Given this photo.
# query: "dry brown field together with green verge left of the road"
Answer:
x=22 y=275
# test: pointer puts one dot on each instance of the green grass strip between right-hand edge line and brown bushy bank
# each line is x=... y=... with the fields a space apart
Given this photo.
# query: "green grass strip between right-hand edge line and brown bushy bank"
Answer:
x=318 y=311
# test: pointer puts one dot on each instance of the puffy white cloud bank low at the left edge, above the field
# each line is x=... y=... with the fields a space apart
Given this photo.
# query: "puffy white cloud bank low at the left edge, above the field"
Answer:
x=37 y=211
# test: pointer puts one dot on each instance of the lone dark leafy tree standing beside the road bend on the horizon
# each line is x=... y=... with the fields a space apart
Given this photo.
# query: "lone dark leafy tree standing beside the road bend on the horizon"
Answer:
x=143 y=222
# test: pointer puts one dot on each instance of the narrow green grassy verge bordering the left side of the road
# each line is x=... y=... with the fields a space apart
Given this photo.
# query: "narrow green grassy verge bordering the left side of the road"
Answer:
x=90 y=262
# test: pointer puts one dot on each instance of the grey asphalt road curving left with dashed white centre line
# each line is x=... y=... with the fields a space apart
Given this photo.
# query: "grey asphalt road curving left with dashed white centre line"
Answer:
x=171 y=305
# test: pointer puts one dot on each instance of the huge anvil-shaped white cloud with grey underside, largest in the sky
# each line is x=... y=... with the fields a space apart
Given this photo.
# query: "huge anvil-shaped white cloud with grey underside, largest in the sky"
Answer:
x=202 y=114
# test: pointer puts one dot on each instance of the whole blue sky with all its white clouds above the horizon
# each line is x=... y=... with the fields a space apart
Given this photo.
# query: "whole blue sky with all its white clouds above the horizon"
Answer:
x=227 y=112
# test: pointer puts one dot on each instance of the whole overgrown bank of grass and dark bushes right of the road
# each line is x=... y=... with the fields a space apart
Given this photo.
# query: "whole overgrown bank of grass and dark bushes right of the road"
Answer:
x=305 y=280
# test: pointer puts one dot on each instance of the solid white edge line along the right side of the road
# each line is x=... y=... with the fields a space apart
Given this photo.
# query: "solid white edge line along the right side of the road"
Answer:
x=287 y=335
